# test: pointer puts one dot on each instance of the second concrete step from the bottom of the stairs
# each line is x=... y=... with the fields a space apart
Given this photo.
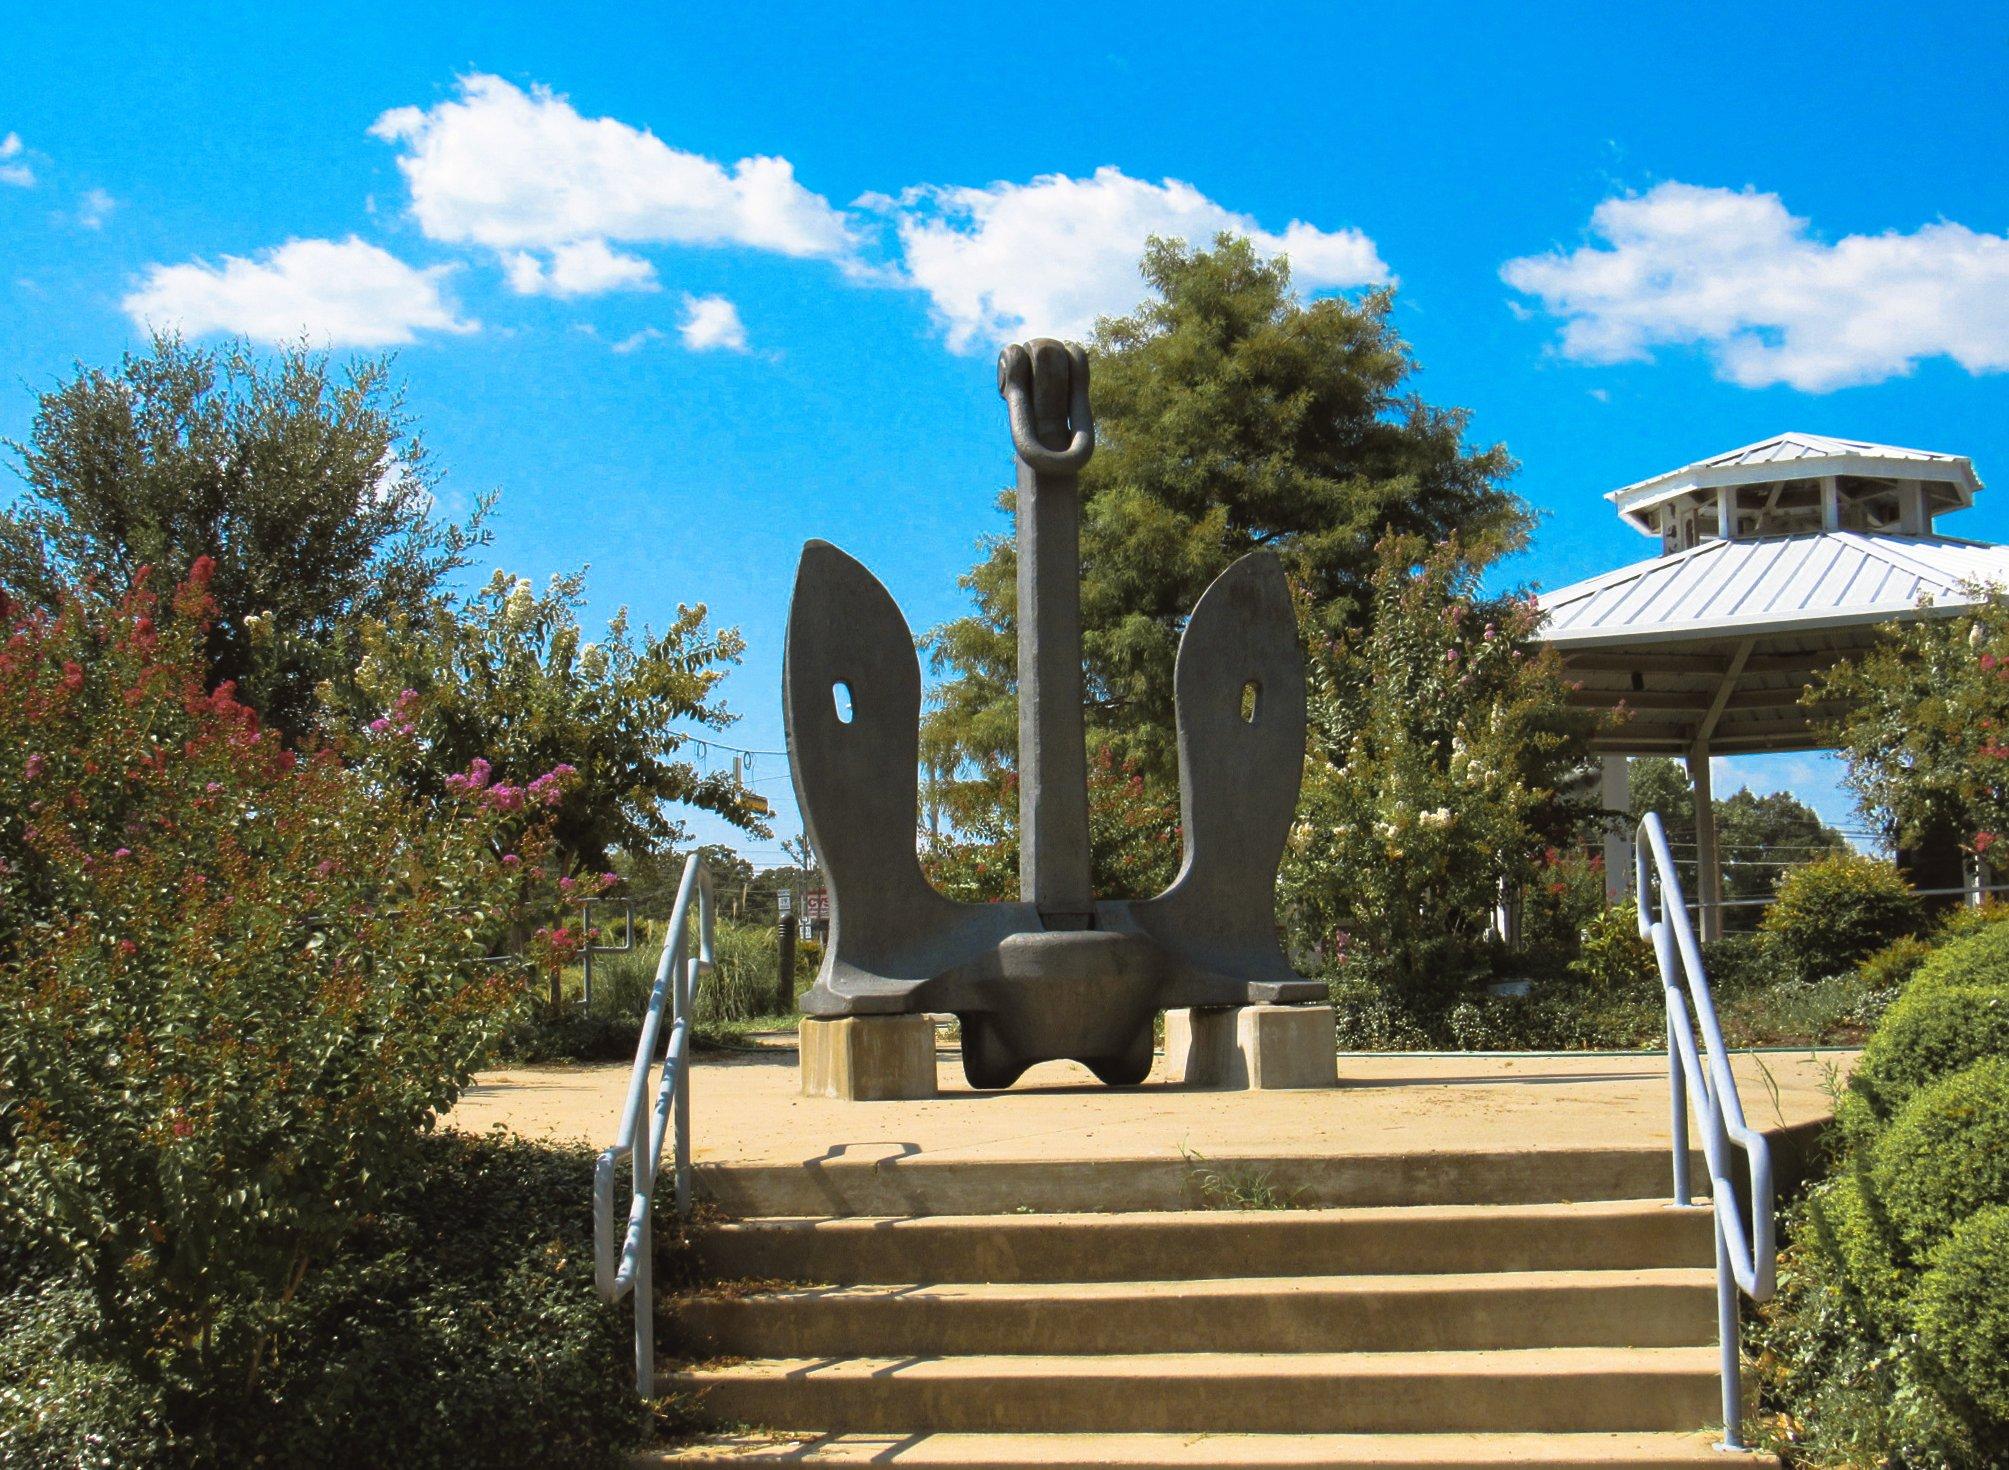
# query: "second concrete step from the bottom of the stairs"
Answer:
x=1351 y=1393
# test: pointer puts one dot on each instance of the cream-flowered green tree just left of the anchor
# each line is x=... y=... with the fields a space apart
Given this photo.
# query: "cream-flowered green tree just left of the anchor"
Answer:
x=507 y=688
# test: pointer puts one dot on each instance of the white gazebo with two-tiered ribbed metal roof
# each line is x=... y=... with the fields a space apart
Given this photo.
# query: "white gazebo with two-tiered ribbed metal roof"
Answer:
x=1775 y=561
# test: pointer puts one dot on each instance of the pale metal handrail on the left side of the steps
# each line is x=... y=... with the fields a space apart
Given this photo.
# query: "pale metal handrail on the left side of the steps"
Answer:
x=628 y=1262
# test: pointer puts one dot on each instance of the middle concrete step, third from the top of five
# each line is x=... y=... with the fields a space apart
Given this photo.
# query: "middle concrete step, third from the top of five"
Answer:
x=1658 y=1308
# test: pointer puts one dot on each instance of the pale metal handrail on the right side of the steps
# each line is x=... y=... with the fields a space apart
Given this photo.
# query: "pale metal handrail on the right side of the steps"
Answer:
x=1747 y=1254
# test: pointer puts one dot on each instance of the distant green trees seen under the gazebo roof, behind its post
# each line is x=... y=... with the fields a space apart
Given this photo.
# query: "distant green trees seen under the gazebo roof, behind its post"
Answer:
x=1759 y=836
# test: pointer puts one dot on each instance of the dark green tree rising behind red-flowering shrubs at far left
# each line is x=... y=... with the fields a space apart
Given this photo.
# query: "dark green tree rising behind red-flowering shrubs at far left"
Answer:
x=308 y=489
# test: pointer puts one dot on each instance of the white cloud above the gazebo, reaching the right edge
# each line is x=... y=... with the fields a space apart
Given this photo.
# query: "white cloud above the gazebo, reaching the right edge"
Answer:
x=1753 y=286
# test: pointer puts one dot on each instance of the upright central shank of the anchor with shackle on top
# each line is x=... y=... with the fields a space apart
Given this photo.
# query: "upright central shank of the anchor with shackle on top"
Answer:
x=1046 y=387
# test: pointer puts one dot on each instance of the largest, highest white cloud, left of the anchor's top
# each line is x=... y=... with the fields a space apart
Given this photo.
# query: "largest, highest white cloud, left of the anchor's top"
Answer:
x=525 y=172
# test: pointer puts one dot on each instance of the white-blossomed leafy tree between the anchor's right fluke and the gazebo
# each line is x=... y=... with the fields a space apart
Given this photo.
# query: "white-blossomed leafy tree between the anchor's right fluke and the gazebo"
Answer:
x=1443 y=748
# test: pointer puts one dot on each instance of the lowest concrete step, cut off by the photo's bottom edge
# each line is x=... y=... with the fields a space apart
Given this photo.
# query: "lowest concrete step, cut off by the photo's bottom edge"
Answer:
x=1188 y=1451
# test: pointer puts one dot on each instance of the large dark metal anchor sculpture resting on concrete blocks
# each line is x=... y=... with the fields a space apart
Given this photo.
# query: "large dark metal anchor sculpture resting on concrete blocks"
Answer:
x=1056 y=975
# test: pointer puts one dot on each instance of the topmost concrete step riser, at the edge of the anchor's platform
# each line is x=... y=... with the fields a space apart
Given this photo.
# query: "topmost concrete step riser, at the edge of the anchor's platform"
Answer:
x=935 y=1186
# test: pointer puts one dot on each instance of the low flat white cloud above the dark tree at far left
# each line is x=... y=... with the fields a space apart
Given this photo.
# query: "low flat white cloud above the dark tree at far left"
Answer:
x=345 y=294
